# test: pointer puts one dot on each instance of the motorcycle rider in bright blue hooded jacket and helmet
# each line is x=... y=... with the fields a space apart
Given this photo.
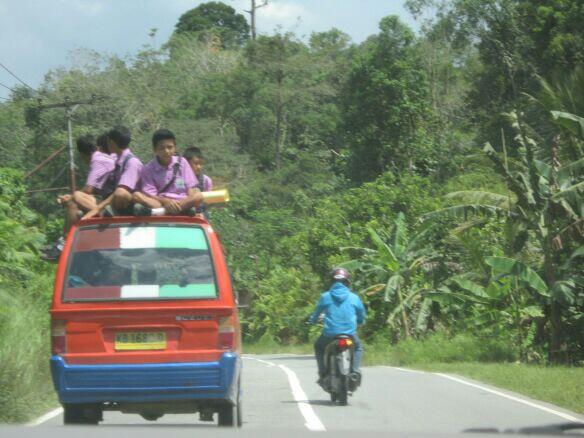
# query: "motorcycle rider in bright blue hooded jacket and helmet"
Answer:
x=343 y=311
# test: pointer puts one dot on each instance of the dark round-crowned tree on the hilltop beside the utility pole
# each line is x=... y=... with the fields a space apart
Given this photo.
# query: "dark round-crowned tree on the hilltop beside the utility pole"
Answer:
x=215 y=19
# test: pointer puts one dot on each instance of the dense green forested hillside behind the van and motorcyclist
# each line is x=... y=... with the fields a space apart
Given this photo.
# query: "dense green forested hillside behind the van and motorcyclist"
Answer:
x=371 y=155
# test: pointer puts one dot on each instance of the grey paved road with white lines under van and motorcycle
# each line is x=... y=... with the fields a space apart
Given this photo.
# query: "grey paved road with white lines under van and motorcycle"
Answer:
x=280 y=393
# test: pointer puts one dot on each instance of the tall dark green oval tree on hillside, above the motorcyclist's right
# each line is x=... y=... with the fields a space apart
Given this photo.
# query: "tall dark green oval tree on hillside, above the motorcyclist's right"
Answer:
x=384 y=99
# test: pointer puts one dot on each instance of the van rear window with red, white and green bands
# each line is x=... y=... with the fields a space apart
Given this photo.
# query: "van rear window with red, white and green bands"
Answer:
x=110 y=263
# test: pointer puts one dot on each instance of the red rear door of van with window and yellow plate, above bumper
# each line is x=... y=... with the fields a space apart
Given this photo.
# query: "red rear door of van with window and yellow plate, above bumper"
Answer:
x=144 y=293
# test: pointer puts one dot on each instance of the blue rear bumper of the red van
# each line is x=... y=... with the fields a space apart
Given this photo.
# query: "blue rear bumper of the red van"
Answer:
x=147 y=382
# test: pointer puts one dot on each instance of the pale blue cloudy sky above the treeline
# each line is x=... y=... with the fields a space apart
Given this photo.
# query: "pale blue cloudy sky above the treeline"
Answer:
x=39 y=35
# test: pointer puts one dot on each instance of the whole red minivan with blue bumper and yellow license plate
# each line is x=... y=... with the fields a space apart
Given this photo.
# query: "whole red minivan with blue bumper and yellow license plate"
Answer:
x=144 y=320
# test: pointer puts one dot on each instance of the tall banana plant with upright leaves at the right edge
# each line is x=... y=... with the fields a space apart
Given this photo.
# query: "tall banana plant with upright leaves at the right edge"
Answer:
x=545 y=200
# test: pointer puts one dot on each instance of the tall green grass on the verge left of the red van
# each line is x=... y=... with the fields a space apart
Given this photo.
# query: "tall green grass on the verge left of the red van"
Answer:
x=25 y=291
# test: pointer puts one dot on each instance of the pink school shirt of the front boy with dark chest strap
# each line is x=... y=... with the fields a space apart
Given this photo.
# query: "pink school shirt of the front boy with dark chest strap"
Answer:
x=155 y=177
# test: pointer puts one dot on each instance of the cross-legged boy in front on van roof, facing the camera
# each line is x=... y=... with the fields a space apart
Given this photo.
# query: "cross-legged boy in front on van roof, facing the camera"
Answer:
x=169 y=186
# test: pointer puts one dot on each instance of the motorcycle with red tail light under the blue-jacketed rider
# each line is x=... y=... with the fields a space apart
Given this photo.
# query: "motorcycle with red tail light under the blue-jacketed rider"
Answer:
x=340 y=380
